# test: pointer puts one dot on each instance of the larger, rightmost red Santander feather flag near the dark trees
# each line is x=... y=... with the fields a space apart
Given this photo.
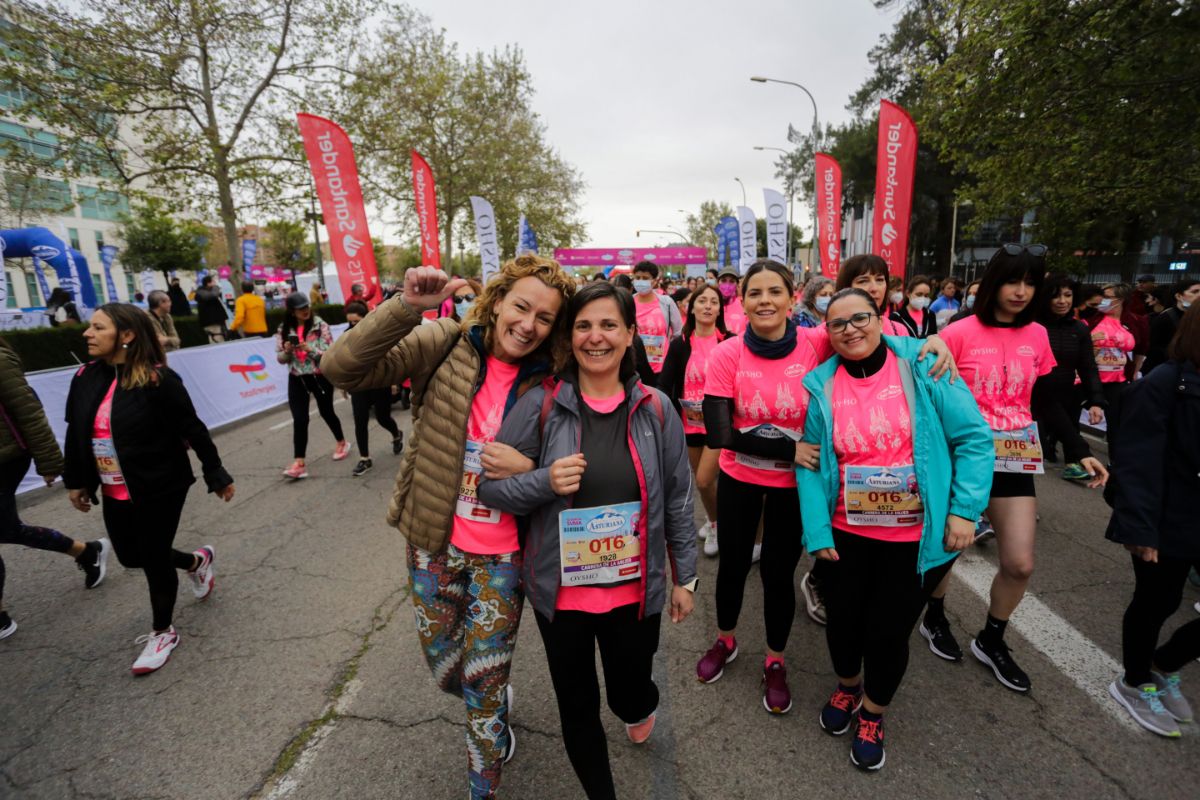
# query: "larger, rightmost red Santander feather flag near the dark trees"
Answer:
x=895 y=171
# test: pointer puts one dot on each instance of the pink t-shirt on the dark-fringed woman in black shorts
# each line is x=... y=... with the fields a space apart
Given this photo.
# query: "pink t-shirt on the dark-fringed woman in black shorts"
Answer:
x=1000 y=366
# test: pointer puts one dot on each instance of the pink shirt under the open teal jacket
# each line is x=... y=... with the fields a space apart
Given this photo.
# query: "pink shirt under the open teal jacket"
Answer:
x=872 y=428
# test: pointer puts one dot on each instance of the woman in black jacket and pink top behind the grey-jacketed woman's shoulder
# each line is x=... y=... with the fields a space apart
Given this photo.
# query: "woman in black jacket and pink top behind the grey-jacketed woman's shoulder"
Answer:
x=683 y=381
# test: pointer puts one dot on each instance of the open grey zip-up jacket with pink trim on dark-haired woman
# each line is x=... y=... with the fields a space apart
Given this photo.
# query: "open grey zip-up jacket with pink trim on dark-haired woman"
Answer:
x=661 y=459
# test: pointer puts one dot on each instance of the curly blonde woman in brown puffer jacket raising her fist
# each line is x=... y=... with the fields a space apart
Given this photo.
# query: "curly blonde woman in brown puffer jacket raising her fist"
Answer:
x=464 y=557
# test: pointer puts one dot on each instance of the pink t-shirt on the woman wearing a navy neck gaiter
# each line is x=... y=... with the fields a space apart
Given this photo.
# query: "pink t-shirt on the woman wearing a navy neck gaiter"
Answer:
x=766 y=393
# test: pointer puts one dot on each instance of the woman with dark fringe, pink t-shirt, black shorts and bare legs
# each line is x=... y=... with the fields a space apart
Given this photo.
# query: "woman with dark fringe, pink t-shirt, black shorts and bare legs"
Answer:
x=1001 y=353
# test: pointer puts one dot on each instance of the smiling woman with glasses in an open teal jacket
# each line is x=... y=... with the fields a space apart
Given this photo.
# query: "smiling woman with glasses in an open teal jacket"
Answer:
x=905 y=470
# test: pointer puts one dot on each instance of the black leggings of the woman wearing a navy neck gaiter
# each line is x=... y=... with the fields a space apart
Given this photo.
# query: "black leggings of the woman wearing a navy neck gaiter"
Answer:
x=737 y=515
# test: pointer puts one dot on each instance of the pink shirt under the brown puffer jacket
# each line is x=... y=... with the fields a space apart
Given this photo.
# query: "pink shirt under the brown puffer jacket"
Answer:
x=477 y=528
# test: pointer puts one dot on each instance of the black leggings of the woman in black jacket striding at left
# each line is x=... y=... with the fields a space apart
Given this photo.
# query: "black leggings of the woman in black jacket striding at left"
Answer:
x=142 y=534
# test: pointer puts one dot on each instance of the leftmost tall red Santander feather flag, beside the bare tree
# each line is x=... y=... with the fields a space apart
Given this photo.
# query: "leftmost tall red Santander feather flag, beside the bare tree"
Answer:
x=337 y=177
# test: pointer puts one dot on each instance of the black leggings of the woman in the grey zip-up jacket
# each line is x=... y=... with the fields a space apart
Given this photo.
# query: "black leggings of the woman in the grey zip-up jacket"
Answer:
x=627 y=652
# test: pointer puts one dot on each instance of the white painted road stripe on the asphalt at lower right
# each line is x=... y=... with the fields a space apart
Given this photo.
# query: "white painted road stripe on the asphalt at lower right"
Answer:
x=1077 y=657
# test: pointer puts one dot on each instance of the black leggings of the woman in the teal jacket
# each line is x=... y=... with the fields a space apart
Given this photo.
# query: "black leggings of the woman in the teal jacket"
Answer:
x=873 y=603
